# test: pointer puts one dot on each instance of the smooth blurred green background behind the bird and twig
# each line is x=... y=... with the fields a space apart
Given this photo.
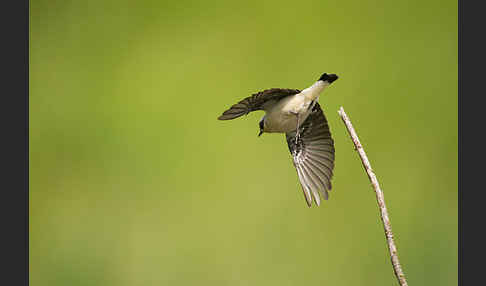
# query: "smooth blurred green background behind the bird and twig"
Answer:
x=133 y=181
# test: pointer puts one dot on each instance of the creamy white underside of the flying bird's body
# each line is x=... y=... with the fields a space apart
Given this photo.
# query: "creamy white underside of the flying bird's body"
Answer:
x=282 y=117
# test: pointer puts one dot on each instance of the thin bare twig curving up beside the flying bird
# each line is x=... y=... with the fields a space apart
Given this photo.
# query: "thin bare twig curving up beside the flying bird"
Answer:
x=379 y=197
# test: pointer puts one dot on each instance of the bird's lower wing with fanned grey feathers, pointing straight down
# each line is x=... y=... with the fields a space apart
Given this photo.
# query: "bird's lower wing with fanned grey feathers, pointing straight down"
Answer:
x=313 y=155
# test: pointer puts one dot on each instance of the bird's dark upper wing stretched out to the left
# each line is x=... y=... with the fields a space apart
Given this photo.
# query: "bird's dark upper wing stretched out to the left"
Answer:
x=257 y=101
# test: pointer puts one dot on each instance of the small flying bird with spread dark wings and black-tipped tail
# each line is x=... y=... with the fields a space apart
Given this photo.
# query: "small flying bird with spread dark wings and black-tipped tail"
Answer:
x=298 y=115
